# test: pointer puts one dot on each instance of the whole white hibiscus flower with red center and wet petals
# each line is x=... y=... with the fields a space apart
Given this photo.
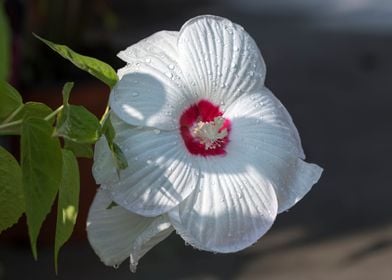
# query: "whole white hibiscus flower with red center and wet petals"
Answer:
x=212 y=153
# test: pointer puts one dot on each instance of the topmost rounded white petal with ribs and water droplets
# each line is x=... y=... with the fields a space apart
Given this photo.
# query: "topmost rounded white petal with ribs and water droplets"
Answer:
x=219 y=59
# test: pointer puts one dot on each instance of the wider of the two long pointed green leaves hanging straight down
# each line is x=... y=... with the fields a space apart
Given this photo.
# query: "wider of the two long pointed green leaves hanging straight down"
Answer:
x=41 y=162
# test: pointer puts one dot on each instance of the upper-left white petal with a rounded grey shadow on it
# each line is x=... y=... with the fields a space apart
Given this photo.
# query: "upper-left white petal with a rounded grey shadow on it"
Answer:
x=150 y=91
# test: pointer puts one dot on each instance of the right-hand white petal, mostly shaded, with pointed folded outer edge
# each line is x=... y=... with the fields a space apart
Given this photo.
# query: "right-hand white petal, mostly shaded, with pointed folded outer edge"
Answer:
x=263 y=130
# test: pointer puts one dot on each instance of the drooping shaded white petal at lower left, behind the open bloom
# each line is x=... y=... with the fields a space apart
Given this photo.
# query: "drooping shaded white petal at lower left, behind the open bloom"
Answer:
x=116 y=233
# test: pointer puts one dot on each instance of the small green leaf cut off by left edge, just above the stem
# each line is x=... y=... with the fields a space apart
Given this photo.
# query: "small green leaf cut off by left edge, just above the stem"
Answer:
x=10 y=99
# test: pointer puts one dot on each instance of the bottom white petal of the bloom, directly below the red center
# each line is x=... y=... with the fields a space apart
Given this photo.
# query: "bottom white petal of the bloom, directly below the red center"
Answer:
x=232 y=209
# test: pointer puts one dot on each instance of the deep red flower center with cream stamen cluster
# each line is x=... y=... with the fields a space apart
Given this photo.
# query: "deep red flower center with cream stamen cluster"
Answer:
x=204 y=131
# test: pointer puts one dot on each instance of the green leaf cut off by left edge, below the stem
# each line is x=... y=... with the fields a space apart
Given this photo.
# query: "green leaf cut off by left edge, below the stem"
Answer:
x=11 y=194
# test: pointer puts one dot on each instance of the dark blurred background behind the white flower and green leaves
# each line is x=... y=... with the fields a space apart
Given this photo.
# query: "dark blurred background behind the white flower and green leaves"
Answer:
x=329 y=62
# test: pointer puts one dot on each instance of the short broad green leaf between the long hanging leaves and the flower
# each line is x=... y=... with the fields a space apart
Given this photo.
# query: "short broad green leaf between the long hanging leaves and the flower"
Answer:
x=76 y=123
